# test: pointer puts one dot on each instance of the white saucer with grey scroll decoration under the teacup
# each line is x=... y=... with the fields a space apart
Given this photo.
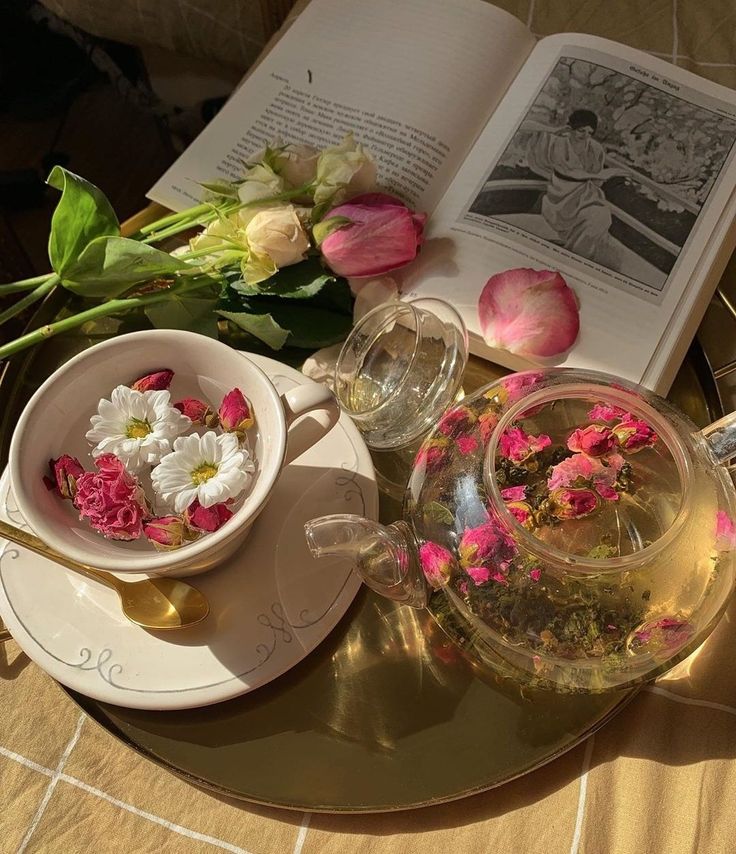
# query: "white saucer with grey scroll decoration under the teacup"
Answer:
x=271 y=605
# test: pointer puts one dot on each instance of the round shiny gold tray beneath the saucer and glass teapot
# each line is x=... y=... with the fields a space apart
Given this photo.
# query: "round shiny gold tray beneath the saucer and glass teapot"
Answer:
x=386 y=714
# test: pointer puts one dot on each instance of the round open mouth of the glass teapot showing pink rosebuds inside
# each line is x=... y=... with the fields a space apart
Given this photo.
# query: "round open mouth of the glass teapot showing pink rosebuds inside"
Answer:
x=587 y=476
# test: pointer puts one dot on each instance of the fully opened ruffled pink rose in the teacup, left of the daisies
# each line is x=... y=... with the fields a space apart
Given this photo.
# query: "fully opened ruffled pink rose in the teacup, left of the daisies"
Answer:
x=111 y=500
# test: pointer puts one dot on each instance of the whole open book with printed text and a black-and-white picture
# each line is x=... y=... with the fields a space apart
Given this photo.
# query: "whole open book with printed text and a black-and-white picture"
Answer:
x=572 y=153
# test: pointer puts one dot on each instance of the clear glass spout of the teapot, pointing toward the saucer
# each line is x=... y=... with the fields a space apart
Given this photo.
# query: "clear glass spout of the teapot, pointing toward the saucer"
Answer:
x=385 y=556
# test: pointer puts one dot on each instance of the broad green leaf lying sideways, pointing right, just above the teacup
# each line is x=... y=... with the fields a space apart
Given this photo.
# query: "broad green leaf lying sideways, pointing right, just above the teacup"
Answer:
x=111 y=265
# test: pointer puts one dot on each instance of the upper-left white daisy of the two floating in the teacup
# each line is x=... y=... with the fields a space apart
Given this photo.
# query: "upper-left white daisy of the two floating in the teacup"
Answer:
x=137 y=426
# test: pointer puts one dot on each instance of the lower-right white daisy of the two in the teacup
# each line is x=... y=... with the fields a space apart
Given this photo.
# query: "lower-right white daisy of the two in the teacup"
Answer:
x=211 y=468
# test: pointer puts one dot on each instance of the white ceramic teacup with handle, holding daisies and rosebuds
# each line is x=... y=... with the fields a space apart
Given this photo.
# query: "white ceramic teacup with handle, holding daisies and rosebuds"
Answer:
x=57 y=417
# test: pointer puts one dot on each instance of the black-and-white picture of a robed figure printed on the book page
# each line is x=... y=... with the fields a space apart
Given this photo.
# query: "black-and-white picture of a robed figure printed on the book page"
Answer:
x=608 y=167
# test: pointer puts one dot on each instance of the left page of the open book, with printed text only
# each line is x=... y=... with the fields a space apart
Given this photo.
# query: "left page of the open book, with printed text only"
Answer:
x=414 y=80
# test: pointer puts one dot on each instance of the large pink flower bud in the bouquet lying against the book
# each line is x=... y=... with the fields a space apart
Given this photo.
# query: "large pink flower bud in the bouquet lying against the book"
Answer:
x=375 y=233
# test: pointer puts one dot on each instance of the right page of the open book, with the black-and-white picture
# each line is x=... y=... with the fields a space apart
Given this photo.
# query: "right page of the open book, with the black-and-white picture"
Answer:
x=610 y=166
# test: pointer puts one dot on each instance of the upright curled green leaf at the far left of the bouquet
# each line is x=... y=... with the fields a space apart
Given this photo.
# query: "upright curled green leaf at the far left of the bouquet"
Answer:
x=82 y=214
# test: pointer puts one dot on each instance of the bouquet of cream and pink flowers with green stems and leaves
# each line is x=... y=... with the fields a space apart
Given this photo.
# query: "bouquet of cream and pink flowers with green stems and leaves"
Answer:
x=271 y=254
